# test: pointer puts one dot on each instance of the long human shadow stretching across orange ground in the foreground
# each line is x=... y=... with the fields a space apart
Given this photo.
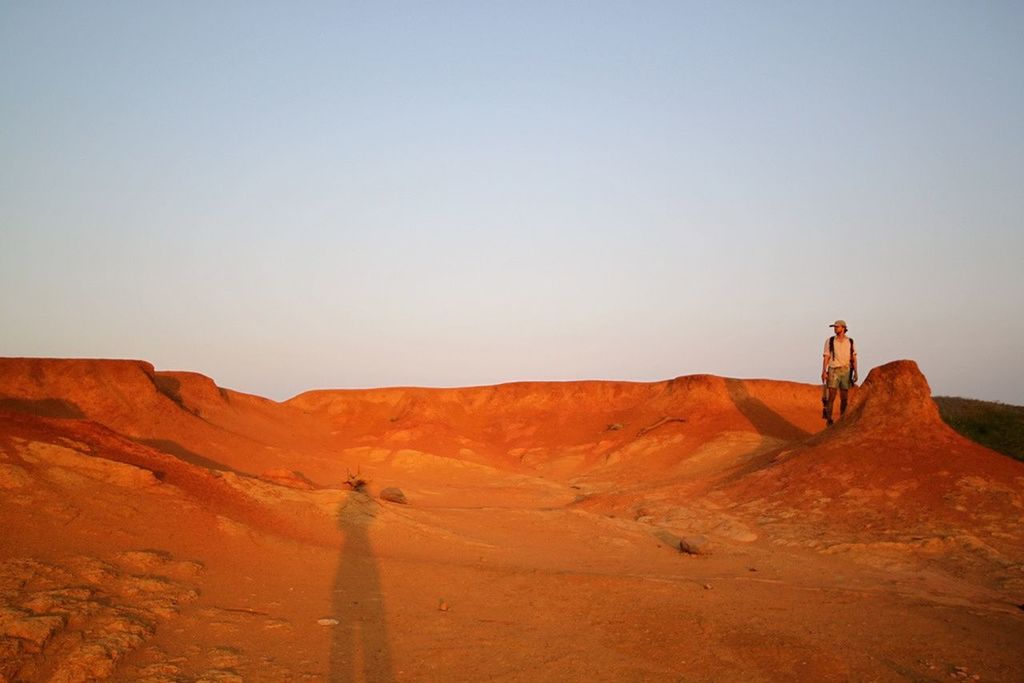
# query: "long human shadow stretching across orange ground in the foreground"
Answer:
x=360 y=648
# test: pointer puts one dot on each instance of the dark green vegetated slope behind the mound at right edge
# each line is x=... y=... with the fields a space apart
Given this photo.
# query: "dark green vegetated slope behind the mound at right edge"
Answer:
x=997 y=426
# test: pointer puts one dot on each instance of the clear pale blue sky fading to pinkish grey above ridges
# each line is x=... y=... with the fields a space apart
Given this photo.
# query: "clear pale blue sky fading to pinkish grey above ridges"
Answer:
x=295 y=196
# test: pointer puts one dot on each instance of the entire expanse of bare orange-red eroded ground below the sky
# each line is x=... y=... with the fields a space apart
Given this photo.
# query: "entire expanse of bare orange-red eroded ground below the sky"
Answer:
x=159 y=528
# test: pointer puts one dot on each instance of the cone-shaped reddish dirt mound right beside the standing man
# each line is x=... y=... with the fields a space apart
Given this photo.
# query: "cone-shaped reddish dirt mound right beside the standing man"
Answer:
x=890 y=463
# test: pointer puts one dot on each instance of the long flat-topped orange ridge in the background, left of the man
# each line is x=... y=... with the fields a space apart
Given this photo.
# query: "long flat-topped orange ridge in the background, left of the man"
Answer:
x=586 y=417
